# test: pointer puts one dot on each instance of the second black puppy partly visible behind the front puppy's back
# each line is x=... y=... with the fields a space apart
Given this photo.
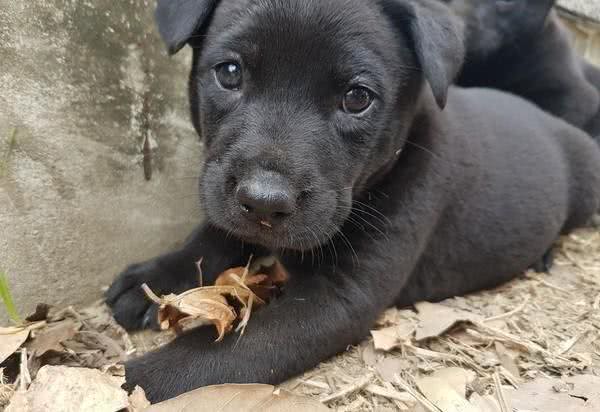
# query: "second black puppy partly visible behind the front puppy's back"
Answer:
x=521 y=47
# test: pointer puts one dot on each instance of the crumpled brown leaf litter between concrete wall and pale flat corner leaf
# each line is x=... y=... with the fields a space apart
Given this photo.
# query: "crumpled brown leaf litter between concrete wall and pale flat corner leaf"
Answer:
x=76 y=338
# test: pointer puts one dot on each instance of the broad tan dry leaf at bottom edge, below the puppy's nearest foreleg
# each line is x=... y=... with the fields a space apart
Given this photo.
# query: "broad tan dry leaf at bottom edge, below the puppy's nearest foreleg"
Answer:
x=234 y=398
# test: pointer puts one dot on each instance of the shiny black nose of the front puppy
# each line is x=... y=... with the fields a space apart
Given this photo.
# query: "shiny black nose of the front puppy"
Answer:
x=266 y=197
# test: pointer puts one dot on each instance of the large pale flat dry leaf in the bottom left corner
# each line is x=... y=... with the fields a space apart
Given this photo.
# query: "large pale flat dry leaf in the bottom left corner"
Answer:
x=64 y=389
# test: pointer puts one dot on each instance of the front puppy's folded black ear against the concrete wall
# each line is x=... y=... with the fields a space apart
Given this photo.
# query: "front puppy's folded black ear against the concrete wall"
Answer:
x=179 y=20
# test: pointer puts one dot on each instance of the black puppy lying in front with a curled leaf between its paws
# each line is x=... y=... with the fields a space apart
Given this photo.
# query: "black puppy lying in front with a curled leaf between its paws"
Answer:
x=326 y=145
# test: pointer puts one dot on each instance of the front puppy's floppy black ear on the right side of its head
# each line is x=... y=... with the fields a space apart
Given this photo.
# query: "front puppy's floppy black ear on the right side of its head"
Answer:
x=436 y=36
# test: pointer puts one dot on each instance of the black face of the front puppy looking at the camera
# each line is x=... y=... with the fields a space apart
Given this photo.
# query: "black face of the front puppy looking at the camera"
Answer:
x=300 y=104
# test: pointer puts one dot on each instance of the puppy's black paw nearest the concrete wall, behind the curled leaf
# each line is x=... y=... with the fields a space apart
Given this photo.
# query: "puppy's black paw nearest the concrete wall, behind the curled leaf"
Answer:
x=131 y=308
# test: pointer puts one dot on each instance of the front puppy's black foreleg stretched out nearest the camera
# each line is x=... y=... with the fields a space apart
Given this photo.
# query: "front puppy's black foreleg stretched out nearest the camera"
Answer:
x=318 y=316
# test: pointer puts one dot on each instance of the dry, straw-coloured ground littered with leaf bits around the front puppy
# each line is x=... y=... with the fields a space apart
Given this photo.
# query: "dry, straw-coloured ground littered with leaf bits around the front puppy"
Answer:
x=530 y=345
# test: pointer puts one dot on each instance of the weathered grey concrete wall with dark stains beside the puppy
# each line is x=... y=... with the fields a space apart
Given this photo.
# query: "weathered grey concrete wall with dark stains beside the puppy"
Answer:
x=81 y=85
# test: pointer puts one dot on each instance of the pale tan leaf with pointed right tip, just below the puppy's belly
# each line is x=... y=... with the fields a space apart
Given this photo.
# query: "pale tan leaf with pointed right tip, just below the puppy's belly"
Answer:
x=436 y=319
